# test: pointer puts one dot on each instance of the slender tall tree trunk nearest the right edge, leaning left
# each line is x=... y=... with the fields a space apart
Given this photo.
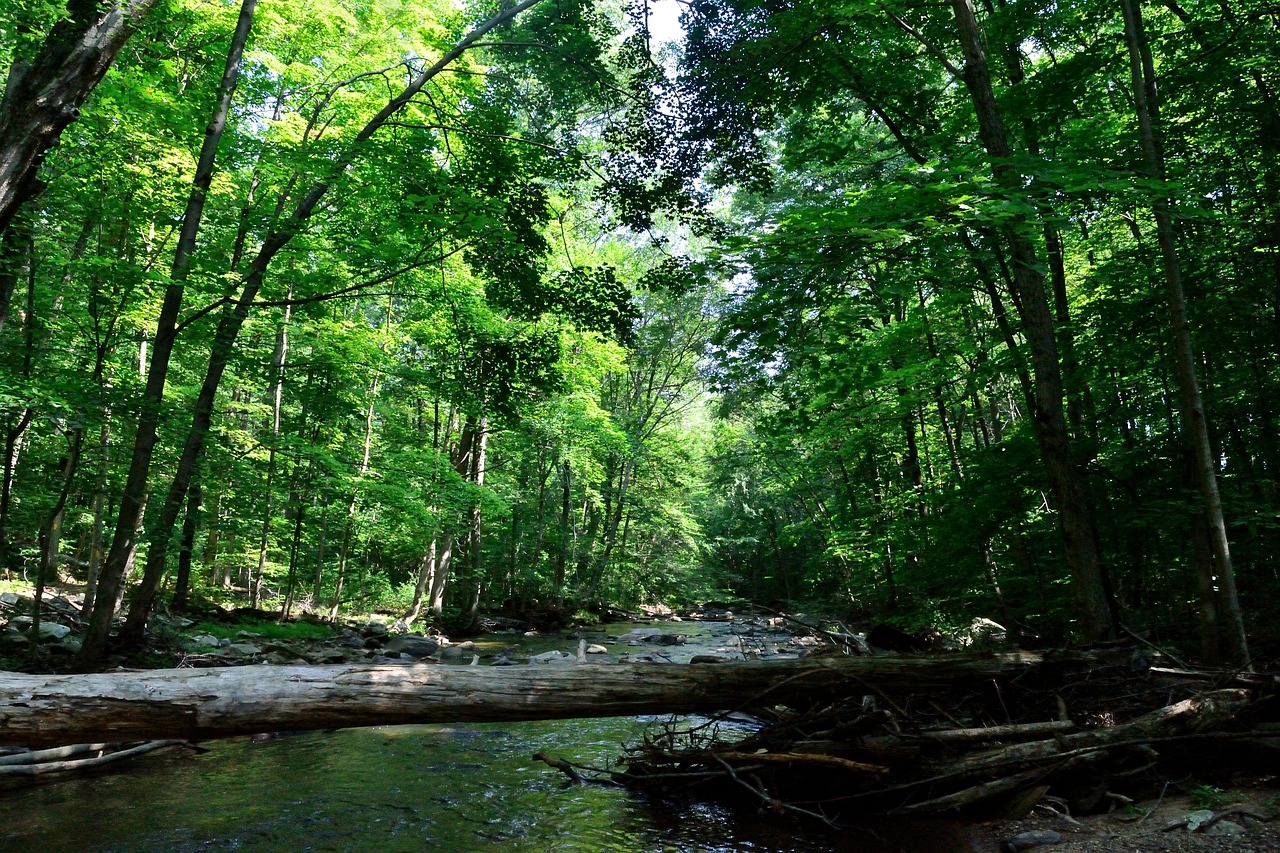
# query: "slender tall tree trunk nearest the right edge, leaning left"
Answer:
x=1194 y=421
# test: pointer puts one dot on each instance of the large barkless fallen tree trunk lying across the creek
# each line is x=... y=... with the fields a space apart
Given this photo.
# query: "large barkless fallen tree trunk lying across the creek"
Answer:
x=200 y=704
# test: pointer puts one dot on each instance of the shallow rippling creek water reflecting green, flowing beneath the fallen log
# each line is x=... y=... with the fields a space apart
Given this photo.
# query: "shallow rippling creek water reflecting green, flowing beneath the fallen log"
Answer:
x=414 y=788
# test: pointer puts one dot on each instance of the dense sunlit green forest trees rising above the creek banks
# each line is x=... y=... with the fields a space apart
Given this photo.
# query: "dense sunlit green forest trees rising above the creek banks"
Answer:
x=924 y=312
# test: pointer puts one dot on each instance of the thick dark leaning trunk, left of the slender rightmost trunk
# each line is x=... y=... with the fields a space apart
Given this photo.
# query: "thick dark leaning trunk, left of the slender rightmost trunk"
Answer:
x=1067 y=480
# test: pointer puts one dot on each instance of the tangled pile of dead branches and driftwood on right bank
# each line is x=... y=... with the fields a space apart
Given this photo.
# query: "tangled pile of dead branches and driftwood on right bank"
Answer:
x=1109 y=731
